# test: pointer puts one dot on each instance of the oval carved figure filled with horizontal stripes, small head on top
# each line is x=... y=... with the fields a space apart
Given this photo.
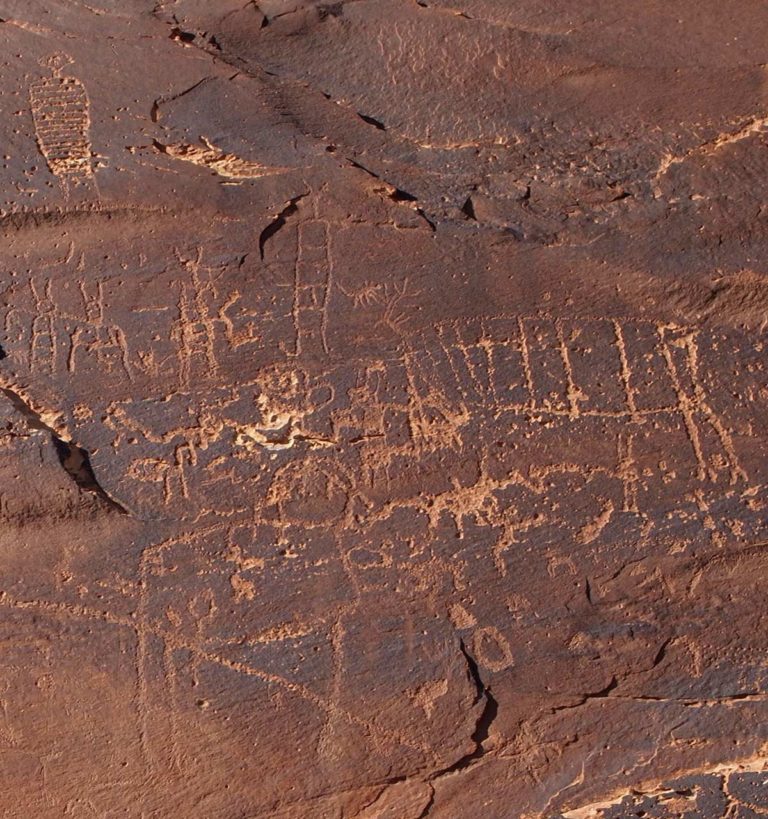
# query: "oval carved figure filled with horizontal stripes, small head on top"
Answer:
x=61 y=116
